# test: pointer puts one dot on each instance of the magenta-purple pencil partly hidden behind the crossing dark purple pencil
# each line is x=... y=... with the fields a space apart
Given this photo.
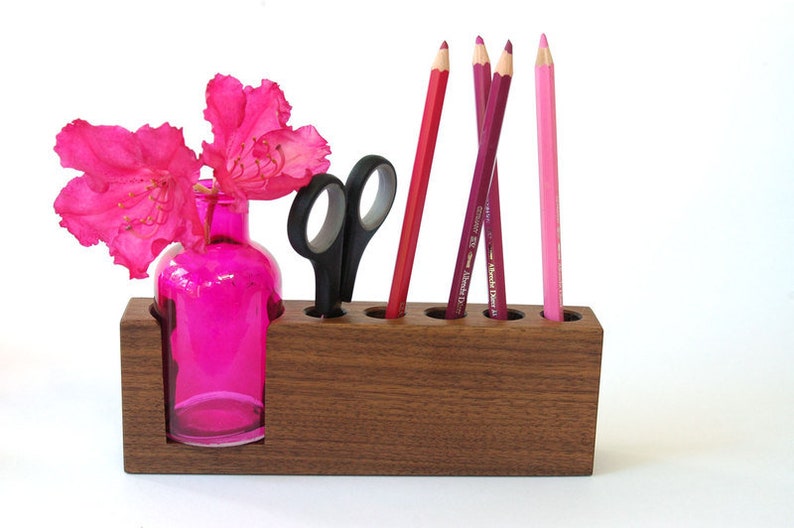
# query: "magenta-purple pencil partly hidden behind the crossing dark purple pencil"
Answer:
x=492 y=227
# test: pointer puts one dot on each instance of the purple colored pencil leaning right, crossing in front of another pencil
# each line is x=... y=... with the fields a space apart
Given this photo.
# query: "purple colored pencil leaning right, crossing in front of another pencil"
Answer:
x=483 y=171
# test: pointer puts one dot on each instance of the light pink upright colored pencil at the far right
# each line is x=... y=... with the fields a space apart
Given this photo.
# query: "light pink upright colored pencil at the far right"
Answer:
x=546 y=115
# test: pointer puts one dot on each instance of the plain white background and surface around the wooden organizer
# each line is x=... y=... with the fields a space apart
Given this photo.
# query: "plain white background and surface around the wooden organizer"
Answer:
x=676 y=122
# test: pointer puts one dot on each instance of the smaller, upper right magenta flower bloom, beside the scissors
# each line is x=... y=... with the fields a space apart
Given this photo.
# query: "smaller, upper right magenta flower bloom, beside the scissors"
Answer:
x=255 y=155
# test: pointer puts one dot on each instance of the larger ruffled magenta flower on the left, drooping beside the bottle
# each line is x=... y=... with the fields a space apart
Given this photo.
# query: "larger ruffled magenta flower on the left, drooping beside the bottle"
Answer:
x=135 y=194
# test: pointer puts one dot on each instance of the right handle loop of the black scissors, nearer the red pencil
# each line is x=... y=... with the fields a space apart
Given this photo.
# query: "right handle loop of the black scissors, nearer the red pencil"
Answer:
x=361 y=225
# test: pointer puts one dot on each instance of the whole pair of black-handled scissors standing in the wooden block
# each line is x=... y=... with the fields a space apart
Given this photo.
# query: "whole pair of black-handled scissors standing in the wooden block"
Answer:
x=336 y=250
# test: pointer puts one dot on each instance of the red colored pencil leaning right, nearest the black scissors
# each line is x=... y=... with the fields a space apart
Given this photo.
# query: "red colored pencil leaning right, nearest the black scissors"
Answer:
x=417 y=191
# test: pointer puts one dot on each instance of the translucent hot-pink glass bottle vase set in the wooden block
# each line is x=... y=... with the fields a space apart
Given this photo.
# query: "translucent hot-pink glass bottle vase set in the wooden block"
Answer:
x=214 y=309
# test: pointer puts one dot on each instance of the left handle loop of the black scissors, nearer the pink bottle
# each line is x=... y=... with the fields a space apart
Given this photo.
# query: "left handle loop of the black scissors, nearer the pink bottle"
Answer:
x=325 y=249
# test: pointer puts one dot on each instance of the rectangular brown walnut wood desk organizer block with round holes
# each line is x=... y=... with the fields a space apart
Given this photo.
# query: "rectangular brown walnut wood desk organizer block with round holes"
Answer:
x=359 y=395
